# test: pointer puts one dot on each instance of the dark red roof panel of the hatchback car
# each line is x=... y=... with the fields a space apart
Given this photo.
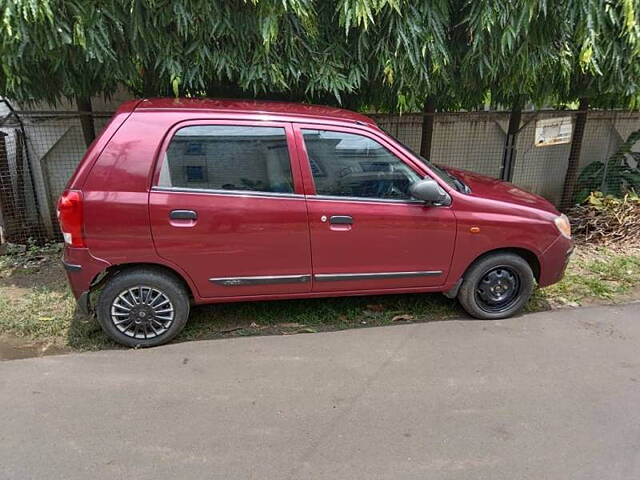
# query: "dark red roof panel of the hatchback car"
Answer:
x=288 y=109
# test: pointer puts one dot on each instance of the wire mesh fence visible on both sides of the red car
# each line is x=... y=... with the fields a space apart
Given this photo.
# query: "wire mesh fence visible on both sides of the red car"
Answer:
x=40 y=150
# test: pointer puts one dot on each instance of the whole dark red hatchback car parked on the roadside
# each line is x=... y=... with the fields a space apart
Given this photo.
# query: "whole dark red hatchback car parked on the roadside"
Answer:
x=182 y=202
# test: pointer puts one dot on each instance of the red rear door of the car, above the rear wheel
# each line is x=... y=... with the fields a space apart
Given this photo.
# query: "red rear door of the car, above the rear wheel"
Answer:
x=227 y=207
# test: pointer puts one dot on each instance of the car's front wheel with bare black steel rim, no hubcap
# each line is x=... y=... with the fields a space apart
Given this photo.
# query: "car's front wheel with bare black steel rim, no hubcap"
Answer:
x=496 y=286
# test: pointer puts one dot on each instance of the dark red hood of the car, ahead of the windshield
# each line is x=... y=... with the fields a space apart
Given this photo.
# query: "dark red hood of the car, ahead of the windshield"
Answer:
x=487 y=187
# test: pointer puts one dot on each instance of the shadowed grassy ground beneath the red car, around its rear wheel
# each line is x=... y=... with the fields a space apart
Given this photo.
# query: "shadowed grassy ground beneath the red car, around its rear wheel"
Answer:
x=287 y=317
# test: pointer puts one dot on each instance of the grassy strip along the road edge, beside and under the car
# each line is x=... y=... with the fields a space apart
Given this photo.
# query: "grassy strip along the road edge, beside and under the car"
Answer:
x=35 y=302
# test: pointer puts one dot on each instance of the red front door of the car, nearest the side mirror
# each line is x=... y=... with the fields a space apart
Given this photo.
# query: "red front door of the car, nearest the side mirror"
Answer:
x=367 y=232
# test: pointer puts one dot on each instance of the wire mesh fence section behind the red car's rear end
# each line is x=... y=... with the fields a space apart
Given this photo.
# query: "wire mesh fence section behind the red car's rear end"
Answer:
x=39 y=151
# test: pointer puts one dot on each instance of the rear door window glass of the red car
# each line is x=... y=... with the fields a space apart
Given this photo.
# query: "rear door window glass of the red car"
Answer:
x=228 y=157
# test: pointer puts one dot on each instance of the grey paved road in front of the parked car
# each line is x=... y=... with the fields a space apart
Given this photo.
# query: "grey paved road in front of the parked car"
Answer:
x=545 y=396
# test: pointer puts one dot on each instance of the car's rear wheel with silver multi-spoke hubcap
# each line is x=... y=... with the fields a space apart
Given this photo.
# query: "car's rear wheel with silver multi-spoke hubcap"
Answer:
x=143 y=307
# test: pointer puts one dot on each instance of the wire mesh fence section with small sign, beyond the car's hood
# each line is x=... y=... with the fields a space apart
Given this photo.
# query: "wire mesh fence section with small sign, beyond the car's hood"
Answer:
x=476 y=141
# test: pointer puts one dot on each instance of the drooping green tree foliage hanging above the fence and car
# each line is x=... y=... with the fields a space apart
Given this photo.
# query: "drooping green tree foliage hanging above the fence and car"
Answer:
x=386 y=54
